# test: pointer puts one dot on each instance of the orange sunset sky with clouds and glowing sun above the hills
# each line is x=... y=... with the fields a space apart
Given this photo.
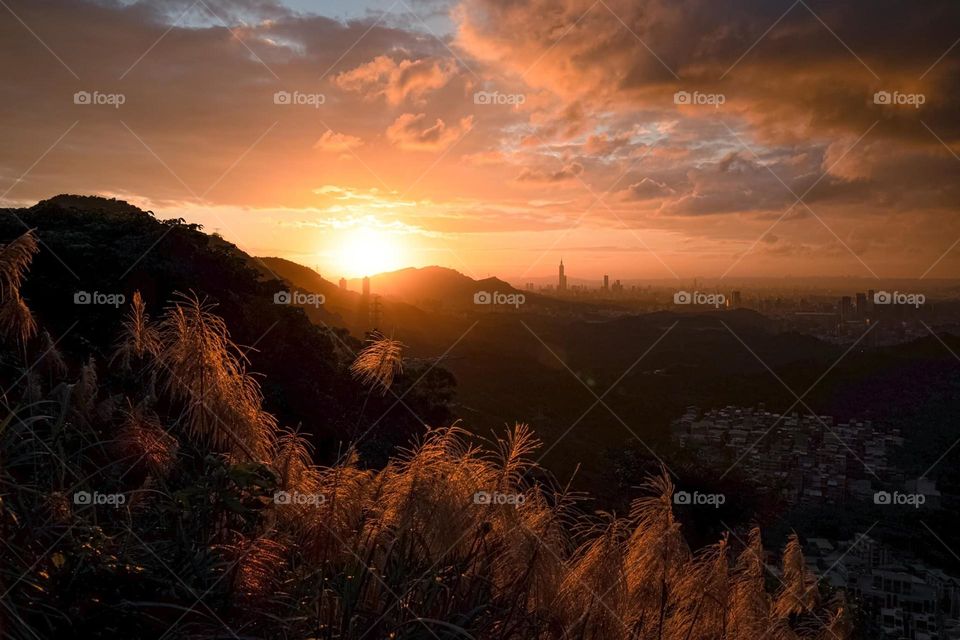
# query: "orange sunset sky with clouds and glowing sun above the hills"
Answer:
x=636 y=138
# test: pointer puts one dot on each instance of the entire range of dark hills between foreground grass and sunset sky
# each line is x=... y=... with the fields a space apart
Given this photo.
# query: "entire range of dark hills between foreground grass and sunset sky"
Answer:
x=544 y=362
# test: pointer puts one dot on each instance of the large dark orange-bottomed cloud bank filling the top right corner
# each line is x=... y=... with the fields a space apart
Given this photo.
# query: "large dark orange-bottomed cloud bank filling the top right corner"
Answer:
x=791 y=80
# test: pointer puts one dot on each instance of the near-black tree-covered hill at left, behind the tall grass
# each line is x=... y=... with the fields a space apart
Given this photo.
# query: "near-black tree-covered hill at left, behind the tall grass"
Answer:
x=105 y=246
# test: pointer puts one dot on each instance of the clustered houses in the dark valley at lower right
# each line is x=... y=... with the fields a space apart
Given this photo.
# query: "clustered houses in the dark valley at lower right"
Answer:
x=812 y=460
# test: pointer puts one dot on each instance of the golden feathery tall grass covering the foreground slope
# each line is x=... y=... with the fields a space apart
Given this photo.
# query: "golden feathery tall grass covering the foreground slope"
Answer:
x=259 y=539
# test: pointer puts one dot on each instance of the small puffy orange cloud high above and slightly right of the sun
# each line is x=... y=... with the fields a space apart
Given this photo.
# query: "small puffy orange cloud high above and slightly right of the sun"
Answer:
x=397 y=81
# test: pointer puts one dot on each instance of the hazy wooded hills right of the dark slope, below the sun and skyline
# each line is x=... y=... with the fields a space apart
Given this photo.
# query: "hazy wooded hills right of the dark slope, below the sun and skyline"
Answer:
x=541 y=367
